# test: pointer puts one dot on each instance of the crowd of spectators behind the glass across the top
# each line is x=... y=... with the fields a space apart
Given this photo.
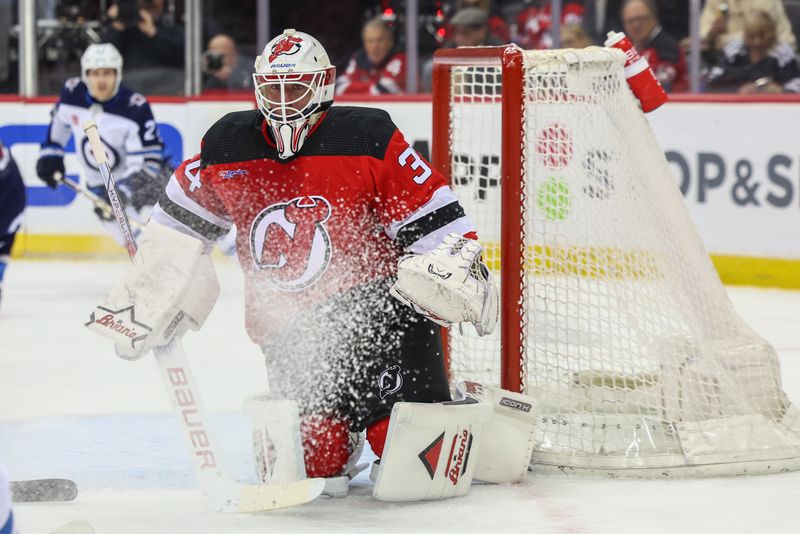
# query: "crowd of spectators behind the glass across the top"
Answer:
x=747 y=45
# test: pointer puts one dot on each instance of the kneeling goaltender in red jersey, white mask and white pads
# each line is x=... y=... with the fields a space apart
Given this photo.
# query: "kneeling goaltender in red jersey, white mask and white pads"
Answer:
x=352 y=249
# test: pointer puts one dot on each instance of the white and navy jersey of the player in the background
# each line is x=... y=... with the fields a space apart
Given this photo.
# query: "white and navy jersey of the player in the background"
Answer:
x=126 y=125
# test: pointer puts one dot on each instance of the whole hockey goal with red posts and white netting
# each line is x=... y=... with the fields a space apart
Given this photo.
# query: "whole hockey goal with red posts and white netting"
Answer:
x=612 y=315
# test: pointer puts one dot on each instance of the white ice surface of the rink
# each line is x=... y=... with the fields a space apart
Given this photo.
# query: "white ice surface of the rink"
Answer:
x=70 y=408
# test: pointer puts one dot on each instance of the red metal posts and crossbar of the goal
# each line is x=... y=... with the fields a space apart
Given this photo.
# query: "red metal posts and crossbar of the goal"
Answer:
x=512 y=249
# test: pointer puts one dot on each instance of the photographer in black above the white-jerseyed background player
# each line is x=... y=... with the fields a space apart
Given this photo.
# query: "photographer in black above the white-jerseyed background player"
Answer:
x=152 y=49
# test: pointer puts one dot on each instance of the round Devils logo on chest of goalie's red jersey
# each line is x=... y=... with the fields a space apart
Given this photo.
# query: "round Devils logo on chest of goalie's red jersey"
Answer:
x=289 y=241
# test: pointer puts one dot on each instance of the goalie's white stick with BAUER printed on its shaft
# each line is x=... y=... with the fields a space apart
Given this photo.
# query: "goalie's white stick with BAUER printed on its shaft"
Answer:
x=226 y=494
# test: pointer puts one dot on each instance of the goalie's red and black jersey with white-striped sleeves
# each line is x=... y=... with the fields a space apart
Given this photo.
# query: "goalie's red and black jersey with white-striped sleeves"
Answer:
x=337 y=216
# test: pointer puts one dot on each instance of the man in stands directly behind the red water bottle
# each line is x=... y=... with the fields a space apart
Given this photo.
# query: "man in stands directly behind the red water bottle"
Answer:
x=640 y=22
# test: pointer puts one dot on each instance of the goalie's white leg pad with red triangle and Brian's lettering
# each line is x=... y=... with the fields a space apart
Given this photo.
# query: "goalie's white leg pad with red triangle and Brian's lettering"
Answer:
x=430 y=451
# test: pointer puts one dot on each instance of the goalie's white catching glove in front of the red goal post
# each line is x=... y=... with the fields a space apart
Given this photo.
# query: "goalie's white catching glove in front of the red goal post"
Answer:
x=449 y=285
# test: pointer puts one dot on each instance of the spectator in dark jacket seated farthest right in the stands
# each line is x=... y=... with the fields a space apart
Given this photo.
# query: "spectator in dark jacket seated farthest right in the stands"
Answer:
x=757 y=62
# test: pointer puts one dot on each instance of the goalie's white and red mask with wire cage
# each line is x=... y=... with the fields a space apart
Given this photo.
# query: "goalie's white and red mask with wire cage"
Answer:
x=294 y=82
